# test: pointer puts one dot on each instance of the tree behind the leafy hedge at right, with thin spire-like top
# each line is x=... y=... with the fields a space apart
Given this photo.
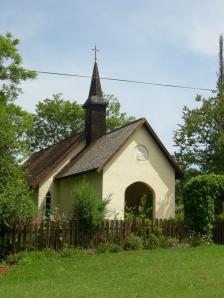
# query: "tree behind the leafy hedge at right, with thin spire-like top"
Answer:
x=200 y=139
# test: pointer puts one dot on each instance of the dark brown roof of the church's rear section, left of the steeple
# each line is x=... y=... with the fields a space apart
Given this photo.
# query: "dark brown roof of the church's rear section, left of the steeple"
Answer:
x=41 y=163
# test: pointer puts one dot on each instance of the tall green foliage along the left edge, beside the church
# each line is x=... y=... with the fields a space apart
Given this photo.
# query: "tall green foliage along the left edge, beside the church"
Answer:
x=15 y=198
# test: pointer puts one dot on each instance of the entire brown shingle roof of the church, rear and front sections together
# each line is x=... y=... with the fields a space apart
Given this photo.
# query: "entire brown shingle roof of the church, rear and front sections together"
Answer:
x=91 y=158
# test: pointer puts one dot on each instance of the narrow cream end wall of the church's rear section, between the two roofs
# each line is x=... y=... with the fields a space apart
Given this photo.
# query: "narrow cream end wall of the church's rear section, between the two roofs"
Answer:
x=48 y=183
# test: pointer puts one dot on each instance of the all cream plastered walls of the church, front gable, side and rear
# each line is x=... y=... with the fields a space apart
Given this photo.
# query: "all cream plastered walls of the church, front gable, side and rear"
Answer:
x=120 y=172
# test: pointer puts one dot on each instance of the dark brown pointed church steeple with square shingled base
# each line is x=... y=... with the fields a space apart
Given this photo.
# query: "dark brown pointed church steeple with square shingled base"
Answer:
x=95 y=106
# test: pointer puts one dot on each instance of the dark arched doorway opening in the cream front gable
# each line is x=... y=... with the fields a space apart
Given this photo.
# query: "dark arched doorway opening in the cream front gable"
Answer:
x=139 y=196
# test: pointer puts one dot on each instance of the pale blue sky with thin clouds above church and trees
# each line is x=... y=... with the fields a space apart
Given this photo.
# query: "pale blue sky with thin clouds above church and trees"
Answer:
x=174 y=42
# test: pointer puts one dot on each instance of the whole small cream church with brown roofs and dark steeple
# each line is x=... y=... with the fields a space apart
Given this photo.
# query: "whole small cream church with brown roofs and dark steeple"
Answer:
x=123 y=165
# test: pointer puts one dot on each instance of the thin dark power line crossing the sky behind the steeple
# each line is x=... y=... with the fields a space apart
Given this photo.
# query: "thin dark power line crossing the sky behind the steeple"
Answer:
x=127 y=81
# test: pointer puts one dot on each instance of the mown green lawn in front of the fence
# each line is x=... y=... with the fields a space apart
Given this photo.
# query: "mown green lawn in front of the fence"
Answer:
x=192 y=272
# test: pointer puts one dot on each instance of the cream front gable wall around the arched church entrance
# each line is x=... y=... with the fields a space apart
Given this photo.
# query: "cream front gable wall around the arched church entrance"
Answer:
x=124 y=169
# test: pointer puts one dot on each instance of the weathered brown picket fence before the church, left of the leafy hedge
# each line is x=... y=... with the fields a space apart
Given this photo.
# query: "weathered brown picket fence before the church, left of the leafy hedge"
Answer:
x=57 y=235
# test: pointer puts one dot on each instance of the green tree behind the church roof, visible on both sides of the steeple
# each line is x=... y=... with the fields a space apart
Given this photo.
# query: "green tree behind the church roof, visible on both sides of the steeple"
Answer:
x=56 y=119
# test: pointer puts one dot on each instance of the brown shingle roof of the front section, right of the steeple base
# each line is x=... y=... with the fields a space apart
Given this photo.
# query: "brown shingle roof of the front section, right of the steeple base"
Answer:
x=96 y=156
